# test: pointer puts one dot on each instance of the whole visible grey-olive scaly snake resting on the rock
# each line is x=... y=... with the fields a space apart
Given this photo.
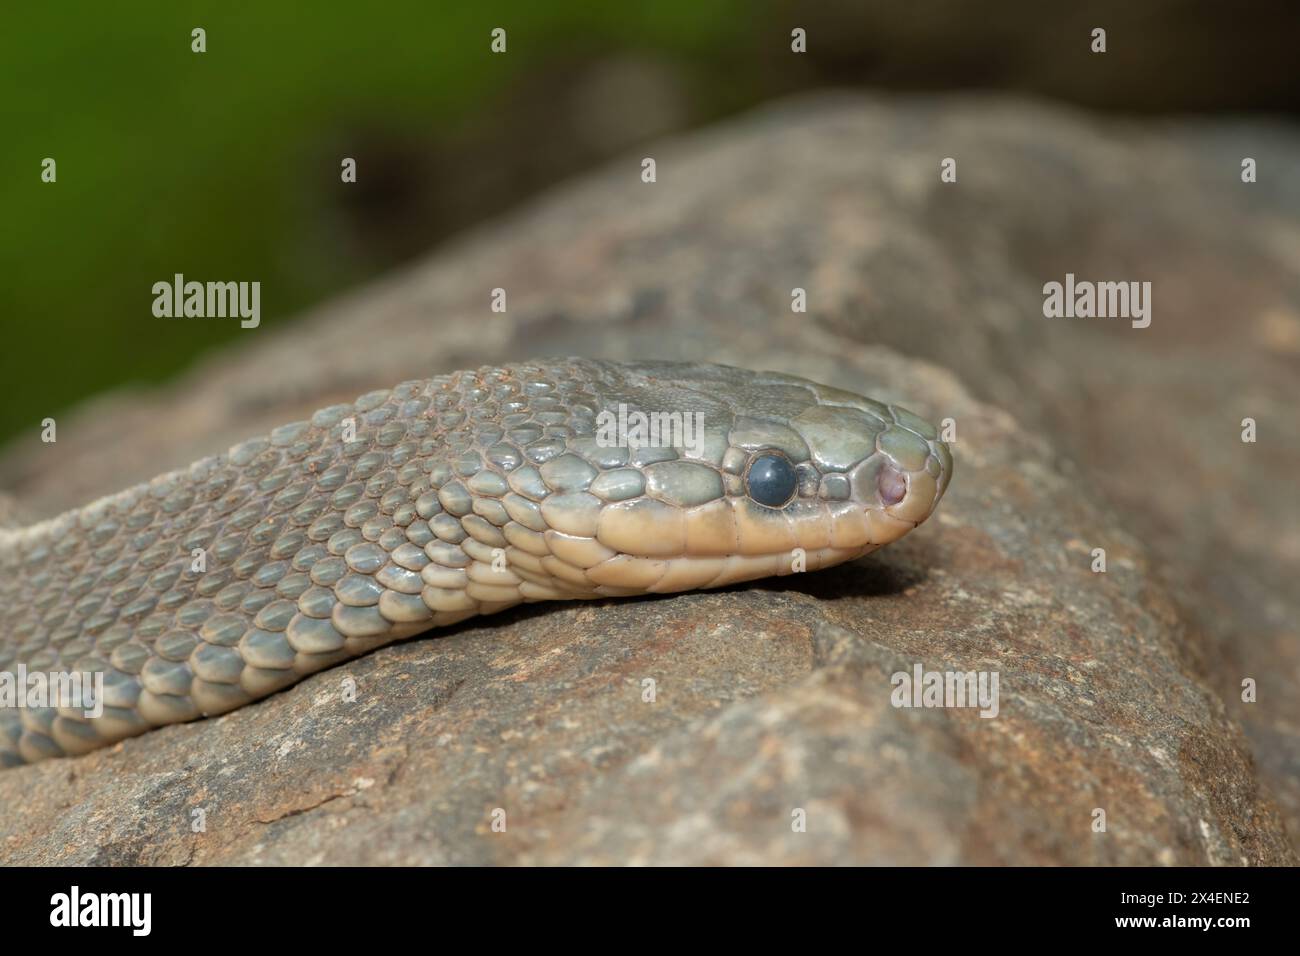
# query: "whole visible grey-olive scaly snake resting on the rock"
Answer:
x=427 y=504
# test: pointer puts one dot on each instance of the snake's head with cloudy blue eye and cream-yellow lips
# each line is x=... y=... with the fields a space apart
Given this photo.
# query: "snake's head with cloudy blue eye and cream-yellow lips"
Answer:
x=768 y=474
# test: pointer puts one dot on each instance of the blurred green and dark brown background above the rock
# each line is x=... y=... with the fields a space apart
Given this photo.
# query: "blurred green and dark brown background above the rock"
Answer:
x=226 y=166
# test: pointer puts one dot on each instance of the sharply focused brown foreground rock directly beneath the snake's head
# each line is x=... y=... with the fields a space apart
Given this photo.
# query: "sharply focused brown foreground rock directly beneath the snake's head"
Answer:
x=769 y=700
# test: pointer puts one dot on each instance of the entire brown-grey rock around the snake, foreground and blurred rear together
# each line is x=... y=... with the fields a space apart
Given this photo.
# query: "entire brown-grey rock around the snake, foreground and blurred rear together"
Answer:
x=1119 y=691
